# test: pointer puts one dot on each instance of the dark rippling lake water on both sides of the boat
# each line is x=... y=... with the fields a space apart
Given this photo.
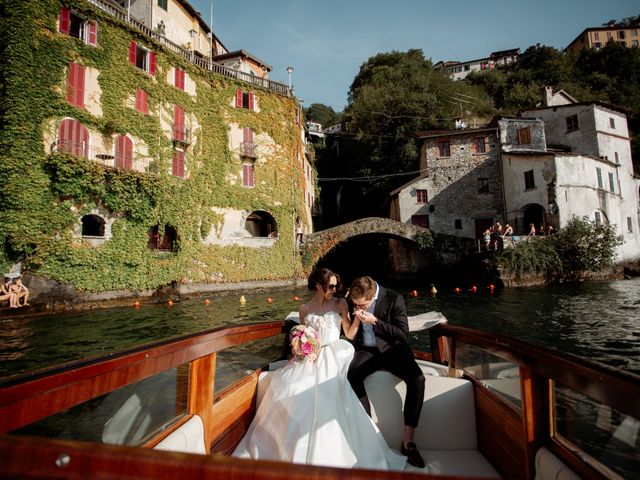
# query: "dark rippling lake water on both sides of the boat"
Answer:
x=597 y=320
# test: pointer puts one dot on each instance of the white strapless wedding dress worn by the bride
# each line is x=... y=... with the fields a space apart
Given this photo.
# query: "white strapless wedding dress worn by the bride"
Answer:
x=310 y=414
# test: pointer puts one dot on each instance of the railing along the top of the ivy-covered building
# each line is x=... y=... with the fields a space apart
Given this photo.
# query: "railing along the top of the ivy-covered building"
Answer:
x=188 y=55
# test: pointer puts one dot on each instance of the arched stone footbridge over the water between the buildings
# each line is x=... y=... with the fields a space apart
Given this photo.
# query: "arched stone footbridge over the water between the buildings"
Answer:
x=317 y=245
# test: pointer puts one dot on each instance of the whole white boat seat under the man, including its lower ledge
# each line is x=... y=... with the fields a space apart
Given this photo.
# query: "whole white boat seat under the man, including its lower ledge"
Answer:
x=446 y=434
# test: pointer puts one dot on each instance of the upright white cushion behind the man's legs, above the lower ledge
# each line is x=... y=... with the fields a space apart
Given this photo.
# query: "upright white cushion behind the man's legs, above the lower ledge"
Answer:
x=447 y=422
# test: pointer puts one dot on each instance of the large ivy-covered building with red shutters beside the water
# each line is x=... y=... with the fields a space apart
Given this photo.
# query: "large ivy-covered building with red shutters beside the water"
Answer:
x=131 y=159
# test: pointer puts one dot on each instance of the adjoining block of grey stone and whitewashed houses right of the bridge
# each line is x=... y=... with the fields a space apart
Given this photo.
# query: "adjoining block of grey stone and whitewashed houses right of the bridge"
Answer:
x=554 y=162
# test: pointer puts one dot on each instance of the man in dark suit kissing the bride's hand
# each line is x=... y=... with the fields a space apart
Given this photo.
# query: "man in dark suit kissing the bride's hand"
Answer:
x=381 y=344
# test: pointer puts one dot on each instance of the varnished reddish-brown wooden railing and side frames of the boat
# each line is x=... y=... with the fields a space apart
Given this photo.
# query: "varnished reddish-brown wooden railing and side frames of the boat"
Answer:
x=507 y=437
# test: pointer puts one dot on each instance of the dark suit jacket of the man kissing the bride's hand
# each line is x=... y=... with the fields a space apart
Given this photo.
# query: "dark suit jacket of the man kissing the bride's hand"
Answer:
x=392 y=329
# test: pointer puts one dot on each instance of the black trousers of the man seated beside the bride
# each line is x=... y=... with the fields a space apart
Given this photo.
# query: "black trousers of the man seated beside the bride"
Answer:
x=398 y=360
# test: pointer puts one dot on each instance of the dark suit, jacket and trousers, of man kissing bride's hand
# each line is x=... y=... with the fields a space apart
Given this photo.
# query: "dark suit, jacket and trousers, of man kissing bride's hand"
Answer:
x=391 y=353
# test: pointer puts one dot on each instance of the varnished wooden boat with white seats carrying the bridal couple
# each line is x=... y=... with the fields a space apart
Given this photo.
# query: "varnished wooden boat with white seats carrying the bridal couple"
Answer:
x=494 y=407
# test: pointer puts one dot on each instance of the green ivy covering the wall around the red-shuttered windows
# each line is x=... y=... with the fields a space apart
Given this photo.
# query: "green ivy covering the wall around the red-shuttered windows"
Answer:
x=45 y=194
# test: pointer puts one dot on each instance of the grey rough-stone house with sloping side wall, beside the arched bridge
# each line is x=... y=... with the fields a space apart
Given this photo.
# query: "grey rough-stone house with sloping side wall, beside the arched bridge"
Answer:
x=459 y=191
